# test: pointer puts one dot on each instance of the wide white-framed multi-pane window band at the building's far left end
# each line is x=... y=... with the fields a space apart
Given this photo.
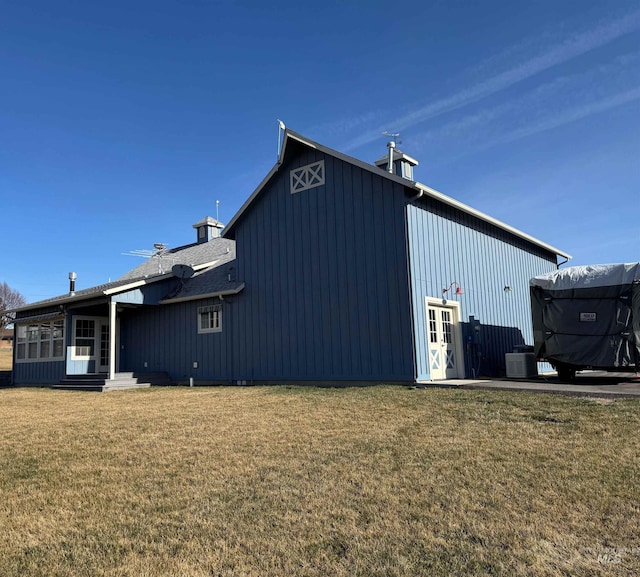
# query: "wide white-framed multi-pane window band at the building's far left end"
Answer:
x=40 y=341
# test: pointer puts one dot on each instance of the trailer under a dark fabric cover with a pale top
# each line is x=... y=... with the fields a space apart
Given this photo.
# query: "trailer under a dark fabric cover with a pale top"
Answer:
x=587 y=317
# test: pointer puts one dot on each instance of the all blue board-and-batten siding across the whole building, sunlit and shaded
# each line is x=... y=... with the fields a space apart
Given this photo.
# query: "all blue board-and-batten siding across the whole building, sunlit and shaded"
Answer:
x=335 y=280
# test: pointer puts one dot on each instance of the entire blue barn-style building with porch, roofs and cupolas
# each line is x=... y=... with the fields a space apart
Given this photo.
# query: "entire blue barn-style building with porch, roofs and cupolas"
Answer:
x=333 y=271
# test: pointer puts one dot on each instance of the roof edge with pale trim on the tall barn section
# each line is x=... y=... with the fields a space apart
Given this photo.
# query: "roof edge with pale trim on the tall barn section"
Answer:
x=418 y=188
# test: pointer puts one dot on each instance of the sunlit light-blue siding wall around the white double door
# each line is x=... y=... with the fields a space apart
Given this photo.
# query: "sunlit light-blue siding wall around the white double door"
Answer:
x=446 y=245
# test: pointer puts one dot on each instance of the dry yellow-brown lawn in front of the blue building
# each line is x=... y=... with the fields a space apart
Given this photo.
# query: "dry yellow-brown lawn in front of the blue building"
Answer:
x=292 y=481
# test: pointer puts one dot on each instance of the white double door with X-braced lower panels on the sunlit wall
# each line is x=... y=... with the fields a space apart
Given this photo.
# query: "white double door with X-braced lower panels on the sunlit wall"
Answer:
x=443 y=341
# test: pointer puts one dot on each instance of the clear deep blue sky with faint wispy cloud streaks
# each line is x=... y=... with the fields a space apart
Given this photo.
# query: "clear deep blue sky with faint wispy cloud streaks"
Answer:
x=122 y=123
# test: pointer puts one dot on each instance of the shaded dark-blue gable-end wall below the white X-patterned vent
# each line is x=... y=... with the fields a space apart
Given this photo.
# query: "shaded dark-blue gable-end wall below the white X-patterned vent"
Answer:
x=326 y=283
